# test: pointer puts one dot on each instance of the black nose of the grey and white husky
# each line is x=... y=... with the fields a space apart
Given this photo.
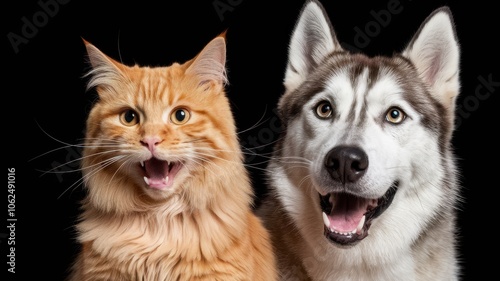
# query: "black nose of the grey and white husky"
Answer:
x=346 y=163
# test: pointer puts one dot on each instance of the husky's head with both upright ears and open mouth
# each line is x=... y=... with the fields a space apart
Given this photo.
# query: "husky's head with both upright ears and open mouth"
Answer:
x=363 y=132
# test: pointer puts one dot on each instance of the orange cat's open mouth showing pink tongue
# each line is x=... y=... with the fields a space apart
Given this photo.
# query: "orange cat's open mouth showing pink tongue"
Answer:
x=159 y=174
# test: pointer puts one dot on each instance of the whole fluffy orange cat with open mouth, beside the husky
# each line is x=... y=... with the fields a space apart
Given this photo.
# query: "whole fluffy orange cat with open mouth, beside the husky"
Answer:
x=168 y=195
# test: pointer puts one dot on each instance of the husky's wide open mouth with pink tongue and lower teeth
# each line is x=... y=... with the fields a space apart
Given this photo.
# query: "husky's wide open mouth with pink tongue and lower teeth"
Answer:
x=347 y=217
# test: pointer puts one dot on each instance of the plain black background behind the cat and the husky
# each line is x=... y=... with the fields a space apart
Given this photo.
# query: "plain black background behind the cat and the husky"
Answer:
x=45 y=102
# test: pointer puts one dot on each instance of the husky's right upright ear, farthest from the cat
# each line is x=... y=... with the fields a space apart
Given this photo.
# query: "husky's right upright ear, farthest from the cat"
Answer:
x=435 y=52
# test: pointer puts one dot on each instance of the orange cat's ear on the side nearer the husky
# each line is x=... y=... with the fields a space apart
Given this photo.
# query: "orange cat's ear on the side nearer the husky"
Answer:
x=209 y=65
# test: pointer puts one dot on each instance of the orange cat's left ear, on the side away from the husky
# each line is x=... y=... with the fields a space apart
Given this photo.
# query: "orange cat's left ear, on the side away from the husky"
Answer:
x=105 y=72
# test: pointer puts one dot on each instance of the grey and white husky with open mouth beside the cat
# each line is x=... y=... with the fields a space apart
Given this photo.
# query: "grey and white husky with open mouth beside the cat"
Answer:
x=362 y=182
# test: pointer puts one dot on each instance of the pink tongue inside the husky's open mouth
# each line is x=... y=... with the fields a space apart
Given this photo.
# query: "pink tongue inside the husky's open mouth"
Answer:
x=347 y=212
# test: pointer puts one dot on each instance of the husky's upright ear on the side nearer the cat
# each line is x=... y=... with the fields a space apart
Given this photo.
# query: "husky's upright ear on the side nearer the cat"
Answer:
x=312 y=40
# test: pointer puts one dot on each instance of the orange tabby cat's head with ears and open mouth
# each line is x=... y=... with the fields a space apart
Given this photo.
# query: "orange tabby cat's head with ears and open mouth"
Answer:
x=157 y=131
